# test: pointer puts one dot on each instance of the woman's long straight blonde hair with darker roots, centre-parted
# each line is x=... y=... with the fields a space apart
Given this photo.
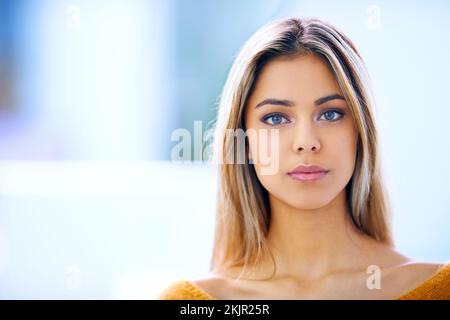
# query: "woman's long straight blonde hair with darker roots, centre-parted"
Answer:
x=243 y=212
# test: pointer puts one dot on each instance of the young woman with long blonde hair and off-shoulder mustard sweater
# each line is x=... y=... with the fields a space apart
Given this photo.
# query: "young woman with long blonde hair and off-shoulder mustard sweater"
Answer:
x=306 y=214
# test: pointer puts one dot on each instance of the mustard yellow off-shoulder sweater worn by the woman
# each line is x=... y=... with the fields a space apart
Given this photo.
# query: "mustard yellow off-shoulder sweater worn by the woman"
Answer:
x=437 y=287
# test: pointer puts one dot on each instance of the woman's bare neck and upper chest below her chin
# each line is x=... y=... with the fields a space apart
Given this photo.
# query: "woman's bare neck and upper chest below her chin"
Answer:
x=317 y=242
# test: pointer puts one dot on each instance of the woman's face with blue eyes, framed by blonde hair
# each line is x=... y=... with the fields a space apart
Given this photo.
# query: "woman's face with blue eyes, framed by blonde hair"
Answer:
x=315 y=127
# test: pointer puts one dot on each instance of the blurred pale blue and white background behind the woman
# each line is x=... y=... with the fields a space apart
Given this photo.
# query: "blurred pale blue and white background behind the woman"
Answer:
x=91 y=93
